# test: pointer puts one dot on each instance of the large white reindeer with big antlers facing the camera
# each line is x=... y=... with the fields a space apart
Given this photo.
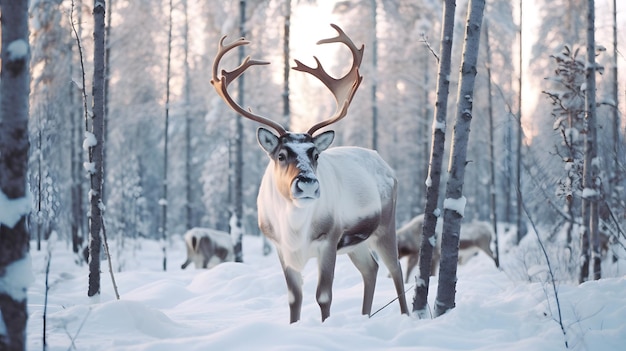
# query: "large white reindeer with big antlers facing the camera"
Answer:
x=316 y=201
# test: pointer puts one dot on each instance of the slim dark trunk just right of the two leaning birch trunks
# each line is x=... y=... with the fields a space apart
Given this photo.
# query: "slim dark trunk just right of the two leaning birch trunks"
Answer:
x=493 y=213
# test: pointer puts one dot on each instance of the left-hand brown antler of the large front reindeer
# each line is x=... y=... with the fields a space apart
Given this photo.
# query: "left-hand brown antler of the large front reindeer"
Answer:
x=221 y=82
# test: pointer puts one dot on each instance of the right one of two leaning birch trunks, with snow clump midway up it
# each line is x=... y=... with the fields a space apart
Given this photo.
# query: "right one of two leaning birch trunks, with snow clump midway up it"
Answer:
x=454 y=203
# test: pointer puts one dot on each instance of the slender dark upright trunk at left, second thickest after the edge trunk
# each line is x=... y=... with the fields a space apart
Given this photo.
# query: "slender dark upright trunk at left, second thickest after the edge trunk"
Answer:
x=96 y=151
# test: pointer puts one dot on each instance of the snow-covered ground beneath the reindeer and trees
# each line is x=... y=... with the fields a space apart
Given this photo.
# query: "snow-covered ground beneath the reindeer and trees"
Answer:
x=237 y=306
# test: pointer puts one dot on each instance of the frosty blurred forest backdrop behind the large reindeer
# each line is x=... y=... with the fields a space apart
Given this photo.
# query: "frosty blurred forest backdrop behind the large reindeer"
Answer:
x=392 y=112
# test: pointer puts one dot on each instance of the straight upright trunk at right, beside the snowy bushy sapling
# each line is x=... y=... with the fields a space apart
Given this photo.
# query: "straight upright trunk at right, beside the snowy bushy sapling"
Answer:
x=591 y=192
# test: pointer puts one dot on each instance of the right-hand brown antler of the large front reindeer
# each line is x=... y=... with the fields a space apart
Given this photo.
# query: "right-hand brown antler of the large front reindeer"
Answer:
x=344 y=88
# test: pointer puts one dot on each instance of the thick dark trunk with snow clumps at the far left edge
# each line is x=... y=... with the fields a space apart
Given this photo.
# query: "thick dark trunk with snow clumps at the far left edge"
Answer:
x=14 y=196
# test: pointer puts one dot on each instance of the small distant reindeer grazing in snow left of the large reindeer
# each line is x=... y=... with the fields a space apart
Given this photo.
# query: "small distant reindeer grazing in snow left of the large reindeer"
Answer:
x=207 y=248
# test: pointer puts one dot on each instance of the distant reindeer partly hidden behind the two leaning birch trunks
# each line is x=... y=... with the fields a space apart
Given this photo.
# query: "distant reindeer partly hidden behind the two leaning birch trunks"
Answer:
x=474 y=236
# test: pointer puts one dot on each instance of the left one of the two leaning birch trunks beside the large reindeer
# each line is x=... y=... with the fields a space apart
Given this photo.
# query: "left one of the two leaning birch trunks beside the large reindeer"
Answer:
x=436 y=160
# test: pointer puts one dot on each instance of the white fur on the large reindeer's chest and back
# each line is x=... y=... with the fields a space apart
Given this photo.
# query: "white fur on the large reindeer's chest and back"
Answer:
x=341 y=171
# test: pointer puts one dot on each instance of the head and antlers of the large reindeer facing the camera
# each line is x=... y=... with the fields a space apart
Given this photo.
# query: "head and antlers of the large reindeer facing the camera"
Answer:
x=295 y=155
